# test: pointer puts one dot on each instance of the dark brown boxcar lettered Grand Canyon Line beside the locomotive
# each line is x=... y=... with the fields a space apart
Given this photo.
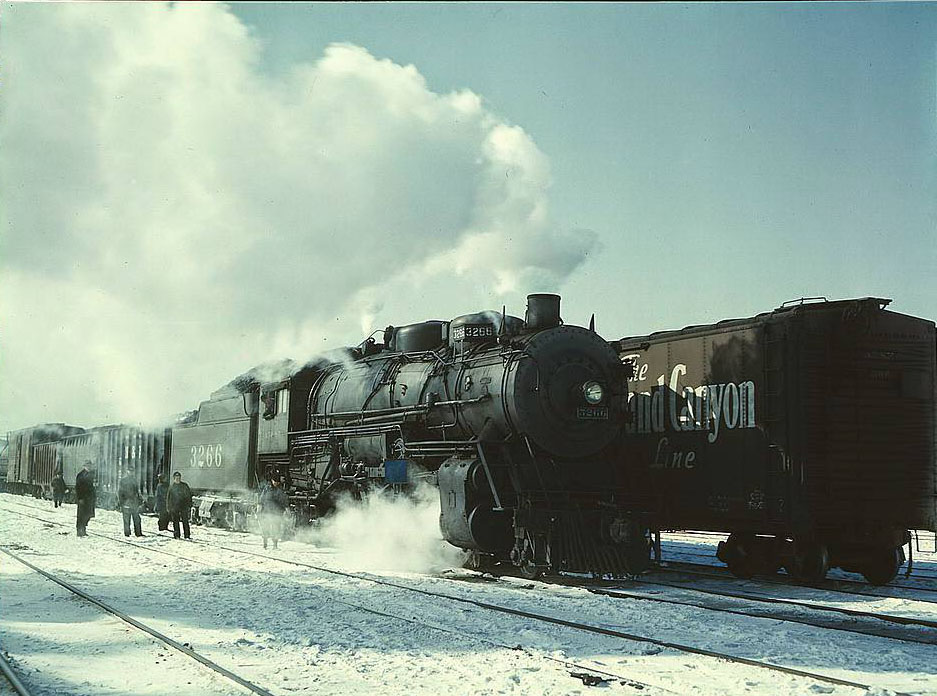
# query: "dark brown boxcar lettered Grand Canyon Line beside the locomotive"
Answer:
x=808 y=433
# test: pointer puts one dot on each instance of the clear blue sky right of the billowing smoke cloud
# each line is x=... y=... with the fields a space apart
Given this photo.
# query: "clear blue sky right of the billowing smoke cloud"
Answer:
x=730 y=156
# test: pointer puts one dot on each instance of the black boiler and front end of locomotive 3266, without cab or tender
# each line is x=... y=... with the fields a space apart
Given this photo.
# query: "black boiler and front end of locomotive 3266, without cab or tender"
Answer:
x=514 y=419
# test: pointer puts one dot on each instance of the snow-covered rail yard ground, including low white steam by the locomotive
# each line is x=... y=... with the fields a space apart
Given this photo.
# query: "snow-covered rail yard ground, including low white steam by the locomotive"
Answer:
x=295 y=630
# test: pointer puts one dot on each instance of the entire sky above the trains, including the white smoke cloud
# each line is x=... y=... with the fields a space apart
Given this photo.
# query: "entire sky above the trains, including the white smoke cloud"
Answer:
x=188 y=190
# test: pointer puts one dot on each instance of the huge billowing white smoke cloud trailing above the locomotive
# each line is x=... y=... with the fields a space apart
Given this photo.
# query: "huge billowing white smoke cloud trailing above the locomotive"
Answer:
x=173 y=214
